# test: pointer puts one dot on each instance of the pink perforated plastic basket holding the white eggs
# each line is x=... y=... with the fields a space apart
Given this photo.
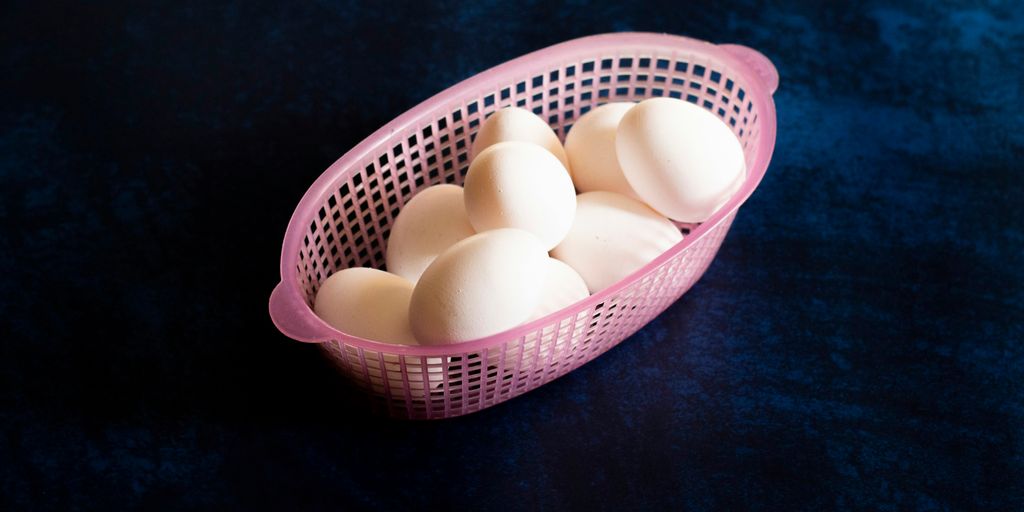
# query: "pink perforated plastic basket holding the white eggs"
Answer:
x=346 y=218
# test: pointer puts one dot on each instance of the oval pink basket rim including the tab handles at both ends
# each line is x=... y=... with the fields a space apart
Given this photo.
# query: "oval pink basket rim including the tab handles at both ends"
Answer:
x=760 y=93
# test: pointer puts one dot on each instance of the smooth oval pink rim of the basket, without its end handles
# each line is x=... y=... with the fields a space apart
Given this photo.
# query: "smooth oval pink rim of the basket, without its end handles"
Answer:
x=308 y=206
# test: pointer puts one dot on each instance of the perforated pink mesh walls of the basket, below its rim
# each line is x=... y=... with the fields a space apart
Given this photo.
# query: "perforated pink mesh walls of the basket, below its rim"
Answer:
x=352 y=229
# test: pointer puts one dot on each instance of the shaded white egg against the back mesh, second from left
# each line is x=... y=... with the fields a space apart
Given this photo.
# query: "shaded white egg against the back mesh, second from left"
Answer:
x=429 y=225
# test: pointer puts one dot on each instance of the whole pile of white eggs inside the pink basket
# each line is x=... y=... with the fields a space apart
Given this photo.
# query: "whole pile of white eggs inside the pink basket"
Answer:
x=518 y=243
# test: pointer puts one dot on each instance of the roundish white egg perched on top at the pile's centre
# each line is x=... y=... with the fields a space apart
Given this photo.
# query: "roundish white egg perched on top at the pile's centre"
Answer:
x=519 y=185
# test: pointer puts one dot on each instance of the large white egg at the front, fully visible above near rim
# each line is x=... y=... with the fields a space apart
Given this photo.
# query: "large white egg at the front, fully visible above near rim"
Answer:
x=481 y=286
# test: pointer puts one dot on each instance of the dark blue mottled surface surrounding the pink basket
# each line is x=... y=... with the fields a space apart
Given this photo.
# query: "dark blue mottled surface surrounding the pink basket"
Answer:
x=858 y=345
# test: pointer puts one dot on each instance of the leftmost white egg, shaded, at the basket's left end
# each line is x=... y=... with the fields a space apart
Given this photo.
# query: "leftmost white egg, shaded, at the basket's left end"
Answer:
x=368 y=304
